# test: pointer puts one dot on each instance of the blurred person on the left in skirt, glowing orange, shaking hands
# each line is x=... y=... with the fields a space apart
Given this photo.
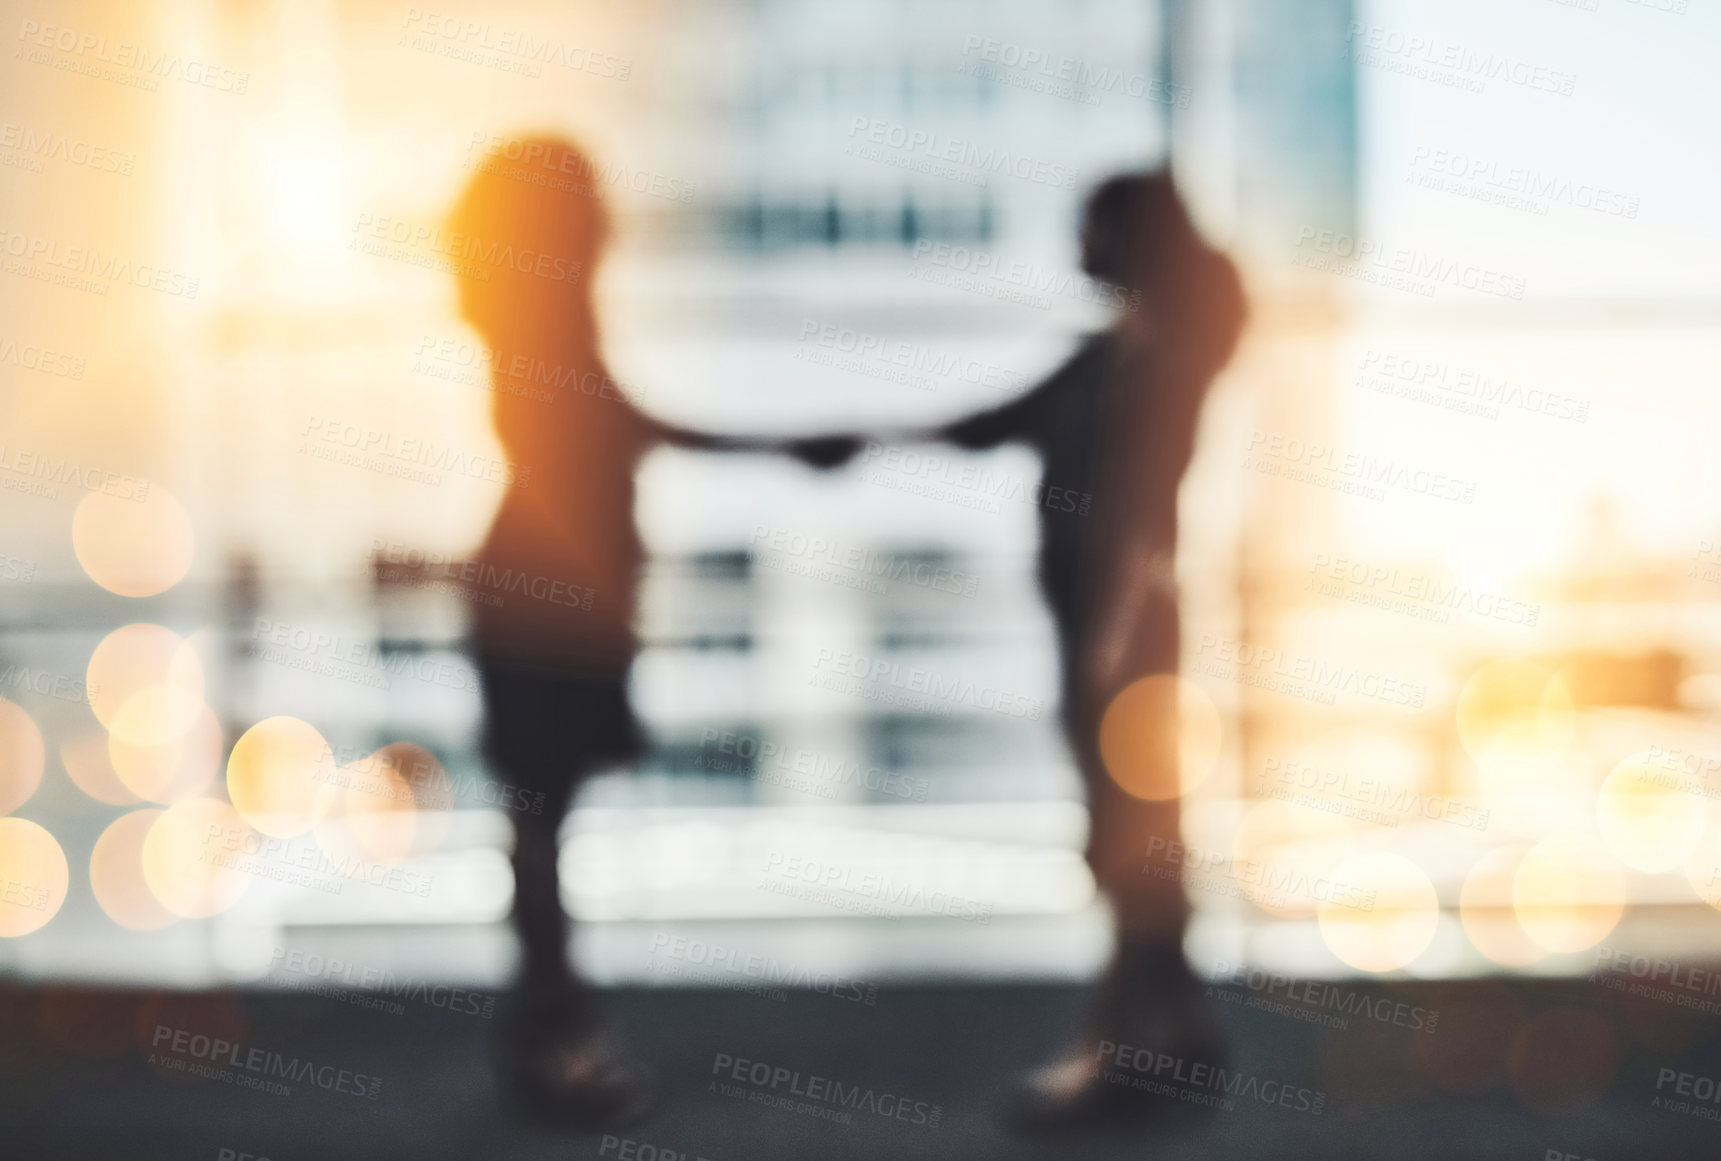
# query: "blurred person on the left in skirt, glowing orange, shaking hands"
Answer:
x=553 y=651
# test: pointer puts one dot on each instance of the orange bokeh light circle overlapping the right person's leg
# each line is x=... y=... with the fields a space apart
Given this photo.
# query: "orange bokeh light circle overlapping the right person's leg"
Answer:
x=1161 y=737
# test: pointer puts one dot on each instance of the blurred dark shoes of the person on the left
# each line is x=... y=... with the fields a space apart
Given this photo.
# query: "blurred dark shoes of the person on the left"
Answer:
x=579 y=1083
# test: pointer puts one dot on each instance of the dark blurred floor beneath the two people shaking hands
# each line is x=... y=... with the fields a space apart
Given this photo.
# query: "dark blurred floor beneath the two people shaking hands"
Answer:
x=1524 y=1071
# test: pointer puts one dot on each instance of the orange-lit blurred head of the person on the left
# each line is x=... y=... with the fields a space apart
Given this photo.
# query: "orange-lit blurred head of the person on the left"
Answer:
x=527 y=236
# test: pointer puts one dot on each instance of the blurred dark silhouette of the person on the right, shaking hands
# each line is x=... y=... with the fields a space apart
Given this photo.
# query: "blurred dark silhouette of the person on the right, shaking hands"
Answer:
x=1118 y=424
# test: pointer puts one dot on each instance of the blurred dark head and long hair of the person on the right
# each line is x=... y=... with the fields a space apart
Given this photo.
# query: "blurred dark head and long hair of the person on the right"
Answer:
x=1137 y=235
